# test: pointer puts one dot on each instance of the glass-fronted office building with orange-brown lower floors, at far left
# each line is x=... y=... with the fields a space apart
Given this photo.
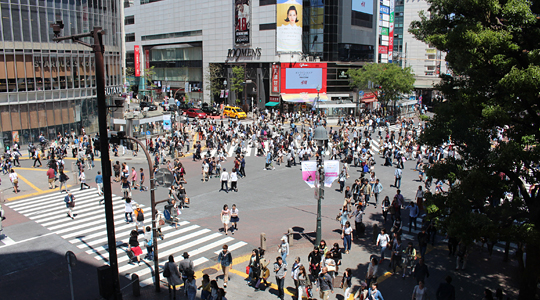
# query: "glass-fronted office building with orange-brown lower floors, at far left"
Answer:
x=48 y=87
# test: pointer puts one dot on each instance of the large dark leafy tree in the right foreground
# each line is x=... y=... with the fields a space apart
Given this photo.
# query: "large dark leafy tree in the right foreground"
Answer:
x=494 y=54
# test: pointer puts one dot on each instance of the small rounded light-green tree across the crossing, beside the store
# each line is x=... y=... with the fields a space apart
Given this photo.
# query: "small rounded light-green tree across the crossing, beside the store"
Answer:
x=388 y=81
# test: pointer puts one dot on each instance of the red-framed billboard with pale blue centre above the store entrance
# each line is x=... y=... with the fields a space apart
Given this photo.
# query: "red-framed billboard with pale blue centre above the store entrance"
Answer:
x=303 y=78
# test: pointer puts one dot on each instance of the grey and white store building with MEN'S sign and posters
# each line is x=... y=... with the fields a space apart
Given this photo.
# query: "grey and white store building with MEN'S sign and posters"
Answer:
x=192 y=47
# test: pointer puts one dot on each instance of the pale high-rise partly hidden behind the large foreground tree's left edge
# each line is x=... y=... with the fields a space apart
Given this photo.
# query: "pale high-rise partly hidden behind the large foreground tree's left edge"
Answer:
x=427 y=62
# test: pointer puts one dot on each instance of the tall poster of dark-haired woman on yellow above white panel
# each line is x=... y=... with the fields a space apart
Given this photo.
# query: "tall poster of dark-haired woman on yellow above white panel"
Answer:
x=289 y=25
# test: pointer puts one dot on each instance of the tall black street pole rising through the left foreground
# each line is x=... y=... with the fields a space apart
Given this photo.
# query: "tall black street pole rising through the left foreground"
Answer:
x=98 y=50
